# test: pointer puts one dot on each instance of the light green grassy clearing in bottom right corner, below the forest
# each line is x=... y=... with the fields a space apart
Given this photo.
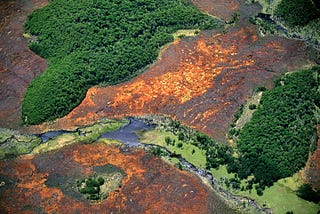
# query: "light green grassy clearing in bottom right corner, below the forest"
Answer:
x=280 y=197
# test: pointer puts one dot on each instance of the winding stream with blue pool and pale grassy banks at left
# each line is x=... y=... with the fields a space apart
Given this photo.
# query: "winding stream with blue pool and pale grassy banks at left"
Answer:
x=124 y=131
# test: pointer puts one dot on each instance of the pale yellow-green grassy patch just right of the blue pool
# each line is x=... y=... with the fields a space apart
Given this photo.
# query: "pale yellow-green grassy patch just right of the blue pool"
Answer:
x=156 y=137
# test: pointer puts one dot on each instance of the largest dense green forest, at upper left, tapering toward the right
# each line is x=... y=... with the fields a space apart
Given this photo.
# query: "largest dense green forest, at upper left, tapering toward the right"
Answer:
x=95 y=42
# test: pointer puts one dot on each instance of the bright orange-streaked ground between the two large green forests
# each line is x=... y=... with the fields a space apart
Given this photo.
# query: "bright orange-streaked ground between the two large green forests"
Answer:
x=200 y=81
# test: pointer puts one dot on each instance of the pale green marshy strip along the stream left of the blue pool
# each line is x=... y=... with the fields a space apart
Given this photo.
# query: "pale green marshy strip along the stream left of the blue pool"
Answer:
x=14 y=143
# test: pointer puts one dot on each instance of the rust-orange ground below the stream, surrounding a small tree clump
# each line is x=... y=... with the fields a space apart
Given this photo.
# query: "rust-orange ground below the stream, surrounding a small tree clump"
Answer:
x=149 y=186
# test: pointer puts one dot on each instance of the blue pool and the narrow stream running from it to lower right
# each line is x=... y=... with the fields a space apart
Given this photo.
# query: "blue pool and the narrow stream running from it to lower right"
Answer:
x=130 y=137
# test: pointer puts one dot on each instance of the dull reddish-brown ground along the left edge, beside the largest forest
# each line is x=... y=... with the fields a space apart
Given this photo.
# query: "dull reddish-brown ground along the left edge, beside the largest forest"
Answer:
x=18 y=65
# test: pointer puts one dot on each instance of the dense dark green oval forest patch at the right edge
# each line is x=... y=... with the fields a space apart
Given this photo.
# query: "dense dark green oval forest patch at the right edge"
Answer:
x=276 y=142
